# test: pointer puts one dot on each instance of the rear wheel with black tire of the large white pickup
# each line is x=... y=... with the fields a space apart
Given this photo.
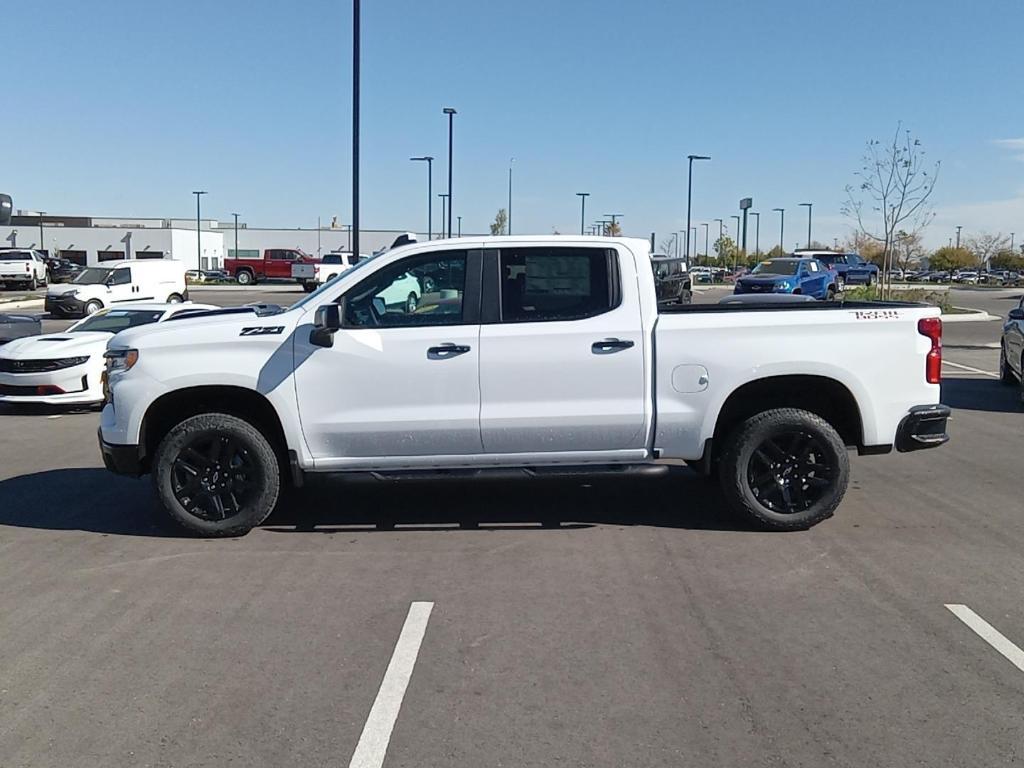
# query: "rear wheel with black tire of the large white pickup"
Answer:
x=788 y=470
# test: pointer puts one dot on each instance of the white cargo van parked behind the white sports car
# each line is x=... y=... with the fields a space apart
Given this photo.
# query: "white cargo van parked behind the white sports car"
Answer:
x=119 y=283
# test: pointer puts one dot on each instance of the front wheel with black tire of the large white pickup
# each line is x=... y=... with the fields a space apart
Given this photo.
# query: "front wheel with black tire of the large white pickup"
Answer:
x=217 y=476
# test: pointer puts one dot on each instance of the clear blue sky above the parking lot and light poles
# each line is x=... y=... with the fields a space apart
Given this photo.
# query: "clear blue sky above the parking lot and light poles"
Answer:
x=122 y=108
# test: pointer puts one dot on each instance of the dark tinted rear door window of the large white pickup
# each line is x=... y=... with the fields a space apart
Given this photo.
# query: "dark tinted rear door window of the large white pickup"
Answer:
x=556 y=284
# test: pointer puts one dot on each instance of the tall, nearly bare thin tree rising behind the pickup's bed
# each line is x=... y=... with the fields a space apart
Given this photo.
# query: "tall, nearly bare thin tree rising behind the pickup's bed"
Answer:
x=898 y=185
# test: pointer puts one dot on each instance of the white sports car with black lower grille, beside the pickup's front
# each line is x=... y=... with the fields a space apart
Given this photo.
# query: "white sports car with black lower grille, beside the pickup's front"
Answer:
x=66 y=368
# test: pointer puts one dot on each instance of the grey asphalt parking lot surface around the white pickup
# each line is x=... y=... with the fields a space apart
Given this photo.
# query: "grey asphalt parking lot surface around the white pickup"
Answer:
x=585 y=623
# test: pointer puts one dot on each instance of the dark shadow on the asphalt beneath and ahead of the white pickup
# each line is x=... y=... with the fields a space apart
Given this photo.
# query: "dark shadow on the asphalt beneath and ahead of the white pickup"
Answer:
x=96 y=501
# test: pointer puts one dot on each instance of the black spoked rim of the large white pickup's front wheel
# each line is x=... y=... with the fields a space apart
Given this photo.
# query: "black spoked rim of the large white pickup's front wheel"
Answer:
x=215 y=478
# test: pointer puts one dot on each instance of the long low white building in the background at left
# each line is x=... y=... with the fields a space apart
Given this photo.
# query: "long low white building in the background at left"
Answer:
x=91 y=241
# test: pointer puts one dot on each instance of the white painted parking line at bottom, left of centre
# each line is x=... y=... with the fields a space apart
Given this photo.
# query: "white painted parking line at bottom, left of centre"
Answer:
x=376 y=735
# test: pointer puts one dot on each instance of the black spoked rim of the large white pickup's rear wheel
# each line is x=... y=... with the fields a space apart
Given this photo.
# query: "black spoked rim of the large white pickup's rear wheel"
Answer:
x=790 y=473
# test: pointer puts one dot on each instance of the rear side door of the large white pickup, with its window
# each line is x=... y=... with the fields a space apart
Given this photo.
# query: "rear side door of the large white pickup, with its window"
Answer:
x=562 y=386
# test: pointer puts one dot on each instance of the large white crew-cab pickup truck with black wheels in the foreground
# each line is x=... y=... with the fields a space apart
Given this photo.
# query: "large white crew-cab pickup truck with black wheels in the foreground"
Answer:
x=547 y=354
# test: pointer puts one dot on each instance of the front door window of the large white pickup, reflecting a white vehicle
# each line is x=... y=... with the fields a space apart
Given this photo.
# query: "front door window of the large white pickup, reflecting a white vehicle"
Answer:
x=419 y=291
